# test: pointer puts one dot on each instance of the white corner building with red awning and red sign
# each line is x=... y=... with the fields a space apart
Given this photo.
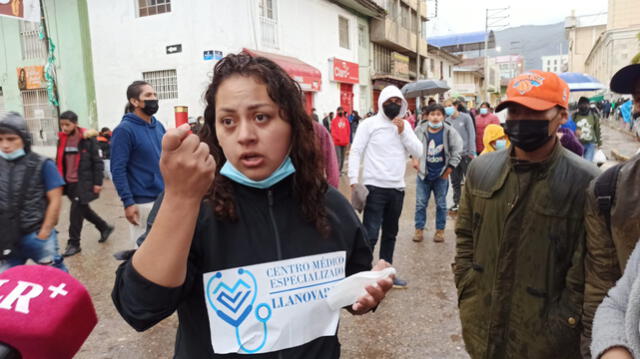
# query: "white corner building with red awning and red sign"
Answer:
x=316 y=41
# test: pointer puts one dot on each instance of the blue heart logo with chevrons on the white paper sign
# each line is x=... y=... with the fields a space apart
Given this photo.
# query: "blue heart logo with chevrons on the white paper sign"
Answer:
x=232 y=303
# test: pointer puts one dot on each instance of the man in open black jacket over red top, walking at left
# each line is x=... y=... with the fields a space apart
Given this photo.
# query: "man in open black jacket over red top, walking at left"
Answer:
x=80 y=164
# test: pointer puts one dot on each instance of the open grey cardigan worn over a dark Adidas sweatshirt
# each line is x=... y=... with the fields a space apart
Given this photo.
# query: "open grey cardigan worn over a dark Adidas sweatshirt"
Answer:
x=452 y=147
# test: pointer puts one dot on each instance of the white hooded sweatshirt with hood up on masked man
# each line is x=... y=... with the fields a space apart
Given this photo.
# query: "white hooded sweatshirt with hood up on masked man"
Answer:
x=385 y=150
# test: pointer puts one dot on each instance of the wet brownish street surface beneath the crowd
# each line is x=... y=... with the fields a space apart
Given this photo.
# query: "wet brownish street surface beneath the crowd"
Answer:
x=418 y=322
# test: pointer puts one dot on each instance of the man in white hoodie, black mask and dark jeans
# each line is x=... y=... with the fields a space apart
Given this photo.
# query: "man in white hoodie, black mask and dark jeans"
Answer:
x=385 y=140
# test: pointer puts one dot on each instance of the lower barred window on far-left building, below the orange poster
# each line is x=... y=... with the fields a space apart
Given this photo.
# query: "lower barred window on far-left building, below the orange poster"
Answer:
x=41 y=117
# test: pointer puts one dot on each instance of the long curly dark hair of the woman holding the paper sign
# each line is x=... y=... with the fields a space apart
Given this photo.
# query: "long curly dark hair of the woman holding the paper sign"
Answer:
x=309 y=183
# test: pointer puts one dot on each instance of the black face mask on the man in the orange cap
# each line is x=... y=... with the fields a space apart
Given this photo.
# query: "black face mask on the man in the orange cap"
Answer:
x=528 y=135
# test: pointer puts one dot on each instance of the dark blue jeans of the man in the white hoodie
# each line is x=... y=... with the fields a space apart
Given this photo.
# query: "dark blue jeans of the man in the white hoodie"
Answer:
x=383 y=209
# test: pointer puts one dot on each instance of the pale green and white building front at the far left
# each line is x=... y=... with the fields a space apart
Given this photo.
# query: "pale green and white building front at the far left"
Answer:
x=23 y=87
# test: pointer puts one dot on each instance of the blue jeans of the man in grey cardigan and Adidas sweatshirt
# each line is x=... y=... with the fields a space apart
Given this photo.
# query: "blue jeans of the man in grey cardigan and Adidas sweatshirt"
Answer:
x=439 y=187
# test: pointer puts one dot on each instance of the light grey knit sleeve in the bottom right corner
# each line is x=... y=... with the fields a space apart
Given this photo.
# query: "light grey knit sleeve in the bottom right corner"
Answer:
x=617 y=320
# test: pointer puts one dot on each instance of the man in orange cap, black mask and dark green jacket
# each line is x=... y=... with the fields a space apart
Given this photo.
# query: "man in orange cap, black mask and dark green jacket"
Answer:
x=520 y=247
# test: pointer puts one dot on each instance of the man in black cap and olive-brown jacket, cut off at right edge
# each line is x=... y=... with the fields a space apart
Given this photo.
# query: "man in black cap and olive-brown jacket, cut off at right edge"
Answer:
x=609 y=246
